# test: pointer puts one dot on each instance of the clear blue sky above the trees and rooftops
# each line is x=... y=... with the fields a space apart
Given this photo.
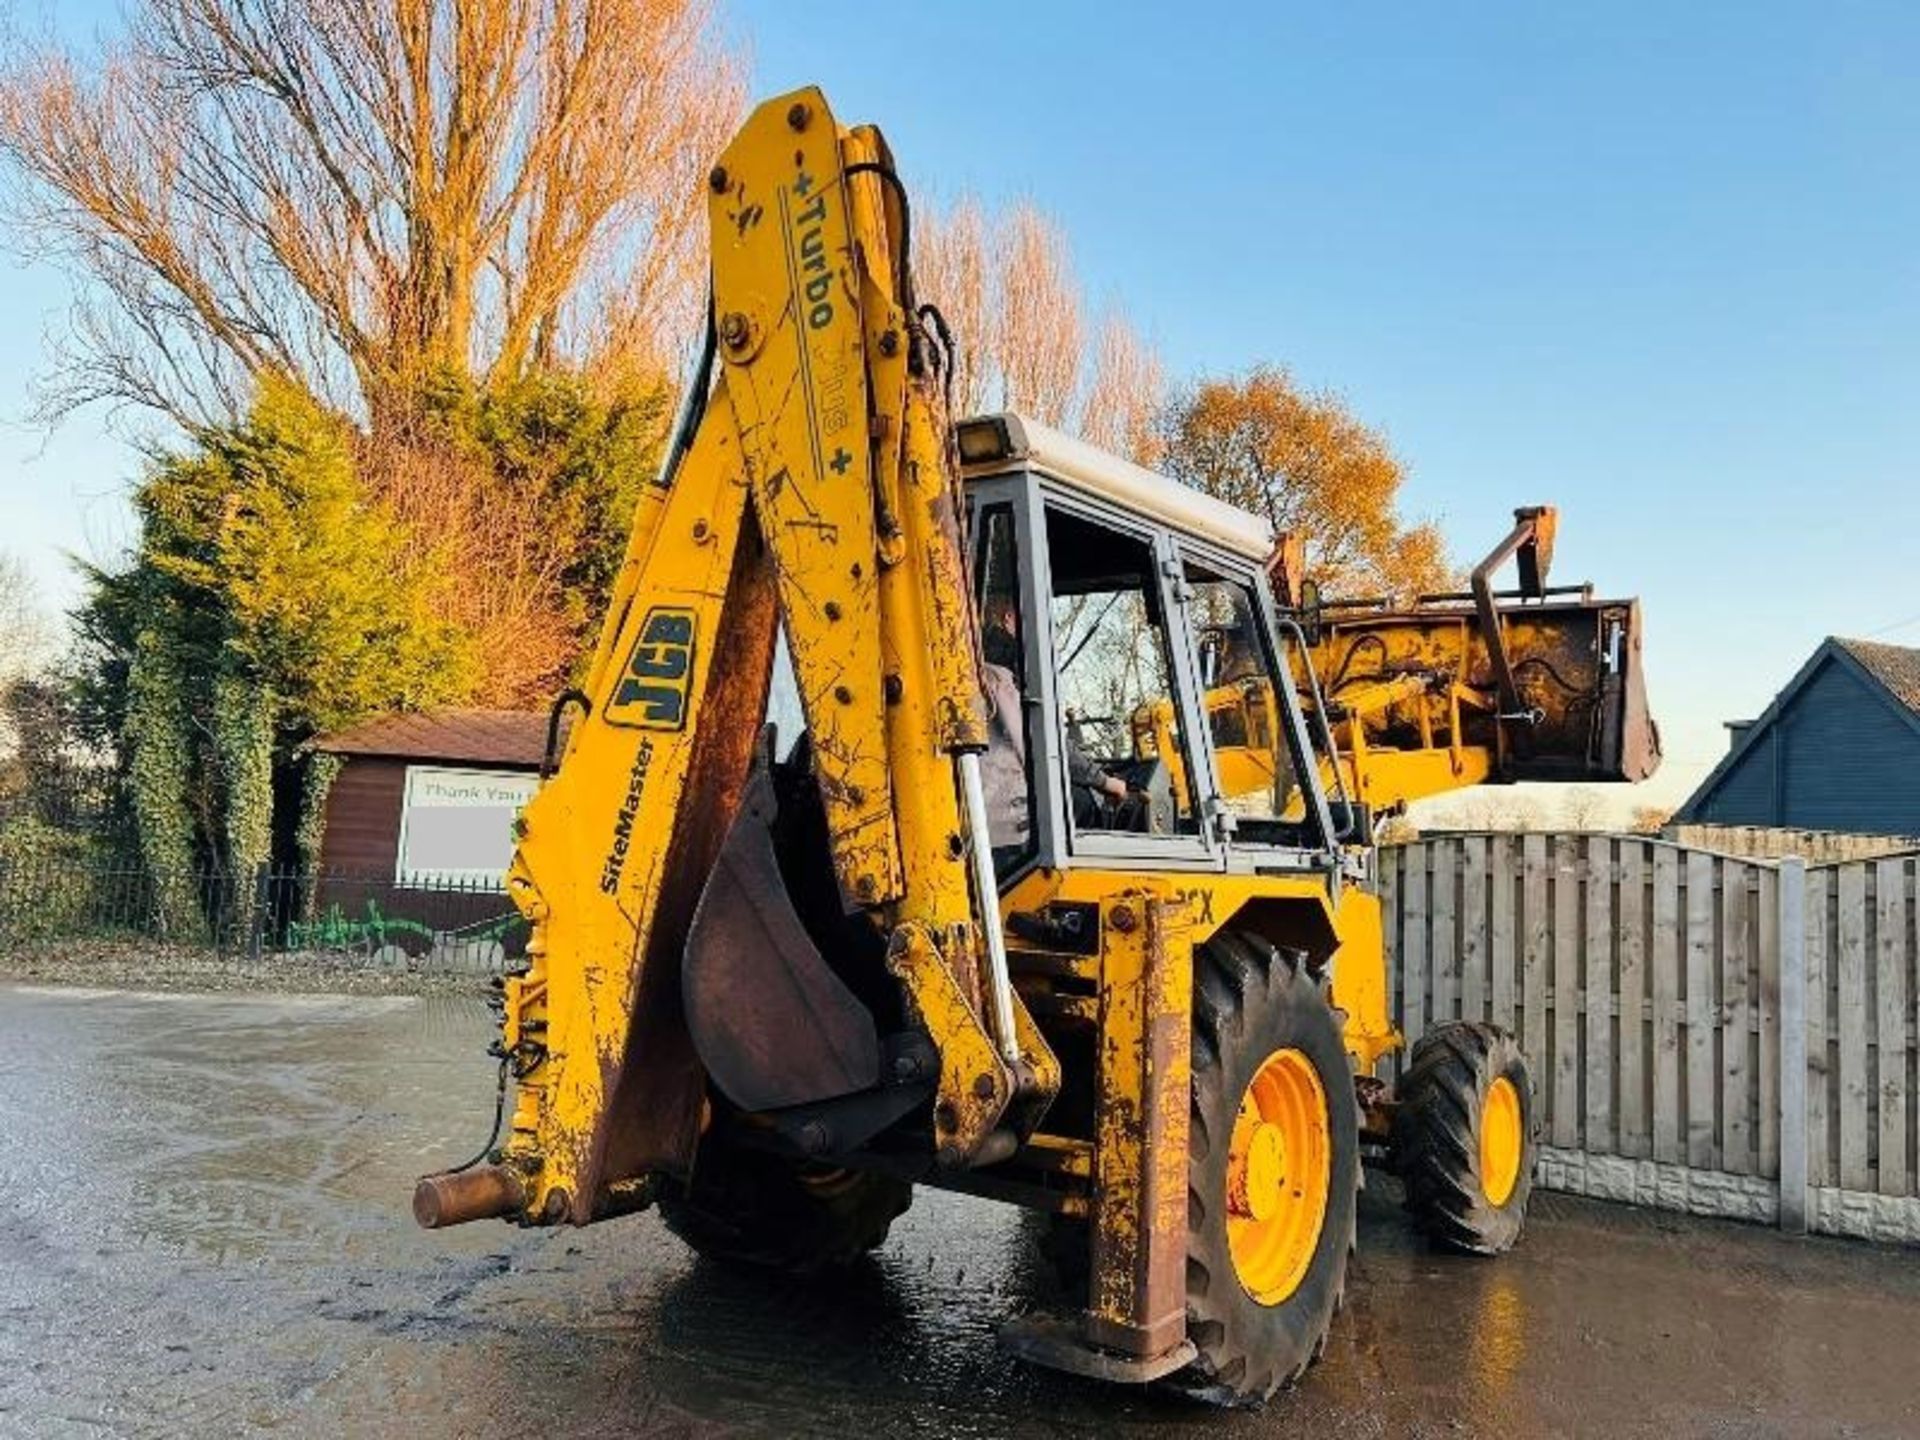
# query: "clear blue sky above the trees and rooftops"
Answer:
x=1654 y=264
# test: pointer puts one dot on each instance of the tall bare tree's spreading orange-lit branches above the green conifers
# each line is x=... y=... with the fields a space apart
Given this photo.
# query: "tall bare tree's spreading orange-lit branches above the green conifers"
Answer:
x=364 y=195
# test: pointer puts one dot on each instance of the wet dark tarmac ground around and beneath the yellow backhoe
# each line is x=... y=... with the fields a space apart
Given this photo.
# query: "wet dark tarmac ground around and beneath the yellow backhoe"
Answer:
x=210 y=1236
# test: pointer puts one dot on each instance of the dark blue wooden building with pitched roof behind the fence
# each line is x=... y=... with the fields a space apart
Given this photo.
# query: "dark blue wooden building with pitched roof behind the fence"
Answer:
x=1836 y=752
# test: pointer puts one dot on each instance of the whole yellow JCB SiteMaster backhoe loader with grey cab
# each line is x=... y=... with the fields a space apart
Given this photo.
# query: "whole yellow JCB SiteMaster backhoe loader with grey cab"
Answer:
x=949 y=938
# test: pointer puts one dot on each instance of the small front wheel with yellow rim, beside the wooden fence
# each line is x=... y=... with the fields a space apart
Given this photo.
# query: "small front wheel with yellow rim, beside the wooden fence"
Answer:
x=1464 y=1138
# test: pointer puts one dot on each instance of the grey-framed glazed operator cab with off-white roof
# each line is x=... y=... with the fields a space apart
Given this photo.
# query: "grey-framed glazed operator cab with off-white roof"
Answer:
x=1140 y=673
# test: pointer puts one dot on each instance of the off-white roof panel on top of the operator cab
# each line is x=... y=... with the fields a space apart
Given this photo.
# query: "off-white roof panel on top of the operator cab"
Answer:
x=1007 y=443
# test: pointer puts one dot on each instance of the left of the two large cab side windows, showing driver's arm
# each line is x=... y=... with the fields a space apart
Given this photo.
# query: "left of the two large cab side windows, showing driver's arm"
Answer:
x=1122 y=746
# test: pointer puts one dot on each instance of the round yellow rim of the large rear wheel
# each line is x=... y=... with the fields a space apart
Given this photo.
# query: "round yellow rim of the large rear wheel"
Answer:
x=1280 y=1170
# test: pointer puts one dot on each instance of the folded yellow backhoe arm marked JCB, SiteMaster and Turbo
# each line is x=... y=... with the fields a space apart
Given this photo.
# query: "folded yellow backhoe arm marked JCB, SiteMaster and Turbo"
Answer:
x=817 y=492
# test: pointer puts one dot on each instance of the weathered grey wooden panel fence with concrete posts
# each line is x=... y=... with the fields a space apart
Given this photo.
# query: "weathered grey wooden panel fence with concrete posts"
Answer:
x=1712 y=1034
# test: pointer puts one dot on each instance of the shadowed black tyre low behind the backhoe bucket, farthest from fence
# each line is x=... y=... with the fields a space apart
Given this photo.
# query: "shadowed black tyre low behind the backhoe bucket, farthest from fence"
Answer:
x=757 y=1209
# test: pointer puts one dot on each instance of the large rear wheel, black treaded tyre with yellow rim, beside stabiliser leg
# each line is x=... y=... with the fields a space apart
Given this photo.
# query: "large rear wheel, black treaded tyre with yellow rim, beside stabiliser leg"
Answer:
x=1274 y=1172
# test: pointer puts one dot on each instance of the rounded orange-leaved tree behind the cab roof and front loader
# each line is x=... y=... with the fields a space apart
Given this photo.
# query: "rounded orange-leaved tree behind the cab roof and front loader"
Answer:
x=1312 y=468
